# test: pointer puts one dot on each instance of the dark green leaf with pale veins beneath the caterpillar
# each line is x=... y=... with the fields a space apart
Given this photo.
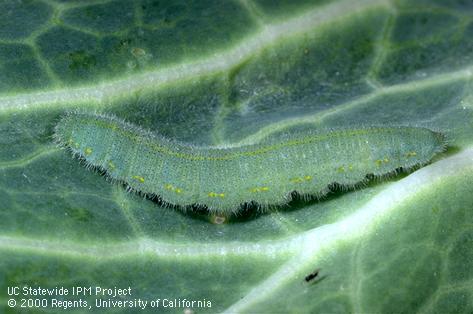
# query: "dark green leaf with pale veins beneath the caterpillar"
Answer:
x=237 y=72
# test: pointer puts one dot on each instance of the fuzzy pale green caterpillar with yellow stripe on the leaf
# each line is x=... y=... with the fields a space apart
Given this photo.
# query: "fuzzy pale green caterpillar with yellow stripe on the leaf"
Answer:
x=222 y=179
